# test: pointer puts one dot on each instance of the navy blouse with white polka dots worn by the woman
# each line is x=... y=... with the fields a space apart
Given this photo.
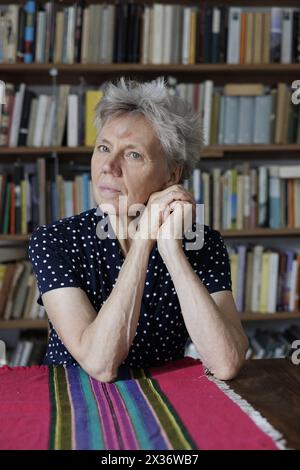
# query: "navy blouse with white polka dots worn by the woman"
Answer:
x=68 y=253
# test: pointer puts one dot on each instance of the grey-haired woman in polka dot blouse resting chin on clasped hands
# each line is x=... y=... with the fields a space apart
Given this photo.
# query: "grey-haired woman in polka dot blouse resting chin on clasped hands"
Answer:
x=135 y=298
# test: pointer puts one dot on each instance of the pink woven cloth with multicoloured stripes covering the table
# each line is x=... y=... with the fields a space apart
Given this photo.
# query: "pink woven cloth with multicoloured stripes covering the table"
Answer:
x=174 y=406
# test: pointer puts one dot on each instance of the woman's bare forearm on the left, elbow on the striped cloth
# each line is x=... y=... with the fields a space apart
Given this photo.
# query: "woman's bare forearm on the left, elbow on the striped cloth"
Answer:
x=106 y=341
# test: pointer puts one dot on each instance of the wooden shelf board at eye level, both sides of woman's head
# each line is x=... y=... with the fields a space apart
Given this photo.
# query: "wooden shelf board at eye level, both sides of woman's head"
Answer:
x=210 y=152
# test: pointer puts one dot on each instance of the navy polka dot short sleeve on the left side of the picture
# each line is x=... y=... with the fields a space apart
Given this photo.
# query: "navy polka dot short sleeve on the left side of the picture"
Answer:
x=52 y=261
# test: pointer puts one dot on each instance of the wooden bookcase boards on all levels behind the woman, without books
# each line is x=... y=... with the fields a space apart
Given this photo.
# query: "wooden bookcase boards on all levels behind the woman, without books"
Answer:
x=54 y=74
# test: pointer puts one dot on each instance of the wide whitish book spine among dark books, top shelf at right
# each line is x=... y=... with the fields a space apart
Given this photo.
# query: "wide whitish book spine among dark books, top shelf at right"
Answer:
x=234 y=31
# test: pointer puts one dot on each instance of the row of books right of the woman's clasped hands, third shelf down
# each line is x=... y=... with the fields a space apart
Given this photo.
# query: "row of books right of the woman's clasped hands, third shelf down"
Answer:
x=247 y=197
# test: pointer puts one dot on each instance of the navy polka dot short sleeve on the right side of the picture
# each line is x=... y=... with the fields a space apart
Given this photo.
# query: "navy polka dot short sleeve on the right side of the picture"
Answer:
x=212 y=263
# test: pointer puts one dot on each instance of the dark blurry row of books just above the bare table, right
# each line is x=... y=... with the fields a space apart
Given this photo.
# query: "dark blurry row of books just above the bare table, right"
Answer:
x=265 y=344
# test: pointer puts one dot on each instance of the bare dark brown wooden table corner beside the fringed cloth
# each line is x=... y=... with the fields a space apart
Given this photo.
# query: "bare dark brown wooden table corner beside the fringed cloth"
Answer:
x=272 y=386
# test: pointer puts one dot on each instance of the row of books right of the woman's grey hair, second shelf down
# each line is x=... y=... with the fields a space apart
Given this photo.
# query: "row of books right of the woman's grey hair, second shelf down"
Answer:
x=244 y=113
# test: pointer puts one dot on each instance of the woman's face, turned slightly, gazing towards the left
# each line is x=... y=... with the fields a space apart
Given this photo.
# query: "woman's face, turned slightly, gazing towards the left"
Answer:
x=128 y=161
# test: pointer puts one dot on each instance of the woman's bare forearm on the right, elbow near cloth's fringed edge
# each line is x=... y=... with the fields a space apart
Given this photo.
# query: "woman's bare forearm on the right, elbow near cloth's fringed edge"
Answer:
x=220 y=343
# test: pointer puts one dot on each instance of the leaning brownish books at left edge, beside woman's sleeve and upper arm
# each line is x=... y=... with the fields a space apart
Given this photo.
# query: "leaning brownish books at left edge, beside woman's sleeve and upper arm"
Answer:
x=19 y=292
